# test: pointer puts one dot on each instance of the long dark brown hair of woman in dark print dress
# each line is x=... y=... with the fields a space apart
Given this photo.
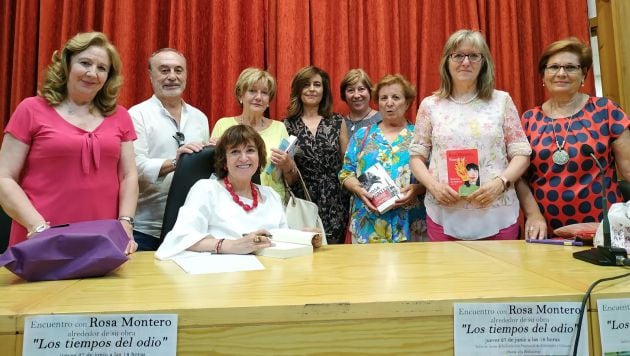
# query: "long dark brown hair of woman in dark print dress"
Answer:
x=300 y=80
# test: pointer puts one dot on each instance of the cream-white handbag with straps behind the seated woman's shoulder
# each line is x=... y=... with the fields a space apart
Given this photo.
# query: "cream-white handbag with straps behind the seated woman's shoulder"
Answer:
x=303 y=213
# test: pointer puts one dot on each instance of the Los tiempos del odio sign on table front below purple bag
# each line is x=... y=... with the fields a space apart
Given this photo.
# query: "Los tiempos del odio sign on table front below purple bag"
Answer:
x=98 y=334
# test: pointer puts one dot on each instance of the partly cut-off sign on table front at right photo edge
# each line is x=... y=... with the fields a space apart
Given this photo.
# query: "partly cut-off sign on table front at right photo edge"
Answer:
x=614 y=325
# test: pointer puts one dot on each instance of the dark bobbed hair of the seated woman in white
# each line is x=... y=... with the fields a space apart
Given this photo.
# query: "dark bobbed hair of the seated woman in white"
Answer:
x=236 y=136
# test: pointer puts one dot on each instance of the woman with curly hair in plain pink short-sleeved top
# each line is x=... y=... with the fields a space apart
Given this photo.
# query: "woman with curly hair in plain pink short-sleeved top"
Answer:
x=67 y=154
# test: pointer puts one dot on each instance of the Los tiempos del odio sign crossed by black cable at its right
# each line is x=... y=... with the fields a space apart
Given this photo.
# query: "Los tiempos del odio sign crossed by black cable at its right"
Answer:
x=518 y=329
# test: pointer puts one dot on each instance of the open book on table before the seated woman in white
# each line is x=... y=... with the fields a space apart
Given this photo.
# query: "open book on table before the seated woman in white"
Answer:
x=289 y=243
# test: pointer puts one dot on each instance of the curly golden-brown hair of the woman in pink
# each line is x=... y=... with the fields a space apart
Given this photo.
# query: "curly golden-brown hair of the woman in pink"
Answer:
x=54 y=88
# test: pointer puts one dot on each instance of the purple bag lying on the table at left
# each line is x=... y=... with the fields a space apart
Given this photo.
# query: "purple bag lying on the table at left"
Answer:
x=78 y=250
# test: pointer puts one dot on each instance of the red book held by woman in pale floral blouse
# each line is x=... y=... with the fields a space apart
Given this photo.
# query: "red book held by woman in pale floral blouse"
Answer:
x=463 y=170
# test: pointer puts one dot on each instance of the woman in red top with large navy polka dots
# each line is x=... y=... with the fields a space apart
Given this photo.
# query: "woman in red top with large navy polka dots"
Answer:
x=563 y=185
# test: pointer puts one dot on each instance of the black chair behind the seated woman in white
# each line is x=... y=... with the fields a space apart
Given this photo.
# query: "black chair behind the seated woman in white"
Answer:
x=190 y=168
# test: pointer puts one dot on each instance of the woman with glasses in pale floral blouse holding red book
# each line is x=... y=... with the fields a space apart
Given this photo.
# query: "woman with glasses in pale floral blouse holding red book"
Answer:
x=468 y=113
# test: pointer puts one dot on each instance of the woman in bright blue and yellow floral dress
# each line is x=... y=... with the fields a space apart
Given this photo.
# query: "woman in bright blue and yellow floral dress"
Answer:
x=386 y=143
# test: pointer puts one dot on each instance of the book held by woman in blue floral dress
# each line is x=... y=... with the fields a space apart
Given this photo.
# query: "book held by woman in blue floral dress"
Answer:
x=384 y=190
